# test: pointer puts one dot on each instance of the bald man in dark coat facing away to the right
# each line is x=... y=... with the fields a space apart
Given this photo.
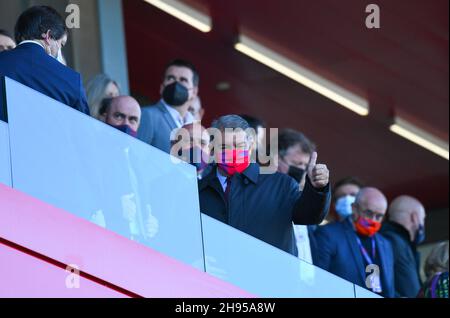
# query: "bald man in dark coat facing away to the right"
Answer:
x=405 y=230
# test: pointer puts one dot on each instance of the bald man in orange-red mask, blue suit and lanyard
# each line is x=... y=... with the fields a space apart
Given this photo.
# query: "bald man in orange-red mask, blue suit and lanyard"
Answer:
x=354 y=250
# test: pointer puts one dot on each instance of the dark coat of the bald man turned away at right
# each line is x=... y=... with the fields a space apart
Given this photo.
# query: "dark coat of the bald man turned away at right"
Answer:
x=406 y=260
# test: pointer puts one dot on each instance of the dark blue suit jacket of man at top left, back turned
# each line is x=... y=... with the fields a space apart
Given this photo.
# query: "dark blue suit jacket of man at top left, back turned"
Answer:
x=30 y=65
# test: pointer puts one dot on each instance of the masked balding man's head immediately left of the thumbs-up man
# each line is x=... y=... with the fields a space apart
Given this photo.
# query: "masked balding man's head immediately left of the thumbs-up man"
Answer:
x=192 y=148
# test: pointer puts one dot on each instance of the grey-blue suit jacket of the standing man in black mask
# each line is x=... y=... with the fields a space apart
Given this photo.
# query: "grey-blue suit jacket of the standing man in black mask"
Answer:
x=156 y=126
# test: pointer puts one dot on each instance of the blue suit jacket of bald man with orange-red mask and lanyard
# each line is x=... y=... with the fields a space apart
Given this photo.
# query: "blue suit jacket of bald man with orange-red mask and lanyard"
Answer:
x=337 y=251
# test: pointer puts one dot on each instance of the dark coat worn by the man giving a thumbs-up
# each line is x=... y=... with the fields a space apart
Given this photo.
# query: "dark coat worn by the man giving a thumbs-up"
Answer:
x=264 y=205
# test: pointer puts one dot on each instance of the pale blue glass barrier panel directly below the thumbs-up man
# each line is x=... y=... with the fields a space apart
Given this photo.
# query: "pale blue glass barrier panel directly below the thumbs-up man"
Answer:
x=262 y=269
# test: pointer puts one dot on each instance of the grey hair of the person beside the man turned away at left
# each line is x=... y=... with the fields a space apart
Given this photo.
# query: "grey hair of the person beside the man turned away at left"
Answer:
x=95 y=91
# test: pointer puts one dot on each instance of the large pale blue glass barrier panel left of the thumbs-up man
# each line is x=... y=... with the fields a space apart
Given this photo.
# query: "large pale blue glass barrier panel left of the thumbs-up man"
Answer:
x=94 y=171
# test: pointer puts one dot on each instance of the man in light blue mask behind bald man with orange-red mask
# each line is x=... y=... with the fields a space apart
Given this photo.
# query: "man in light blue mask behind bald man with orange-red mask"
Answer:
x=344 y=194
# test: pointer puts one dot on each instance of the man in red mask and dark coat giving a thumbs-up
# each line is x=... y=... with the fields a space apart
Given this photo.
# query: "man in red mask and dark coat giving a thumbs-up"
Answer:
x=262 y=205
